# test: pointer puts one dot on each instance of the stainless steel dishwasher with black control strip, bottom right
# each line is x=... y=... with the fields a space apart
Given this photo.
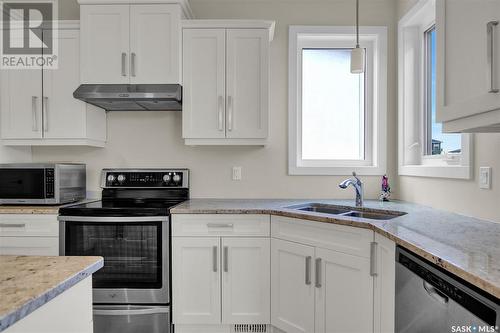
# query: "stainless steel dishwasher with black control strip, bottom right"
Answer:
x=431 y=300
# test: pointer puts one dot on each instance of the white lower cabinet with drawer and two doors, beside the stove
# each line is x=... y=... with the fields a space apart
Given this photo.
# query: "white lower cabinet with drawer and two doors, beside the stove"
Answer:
x=221 y=270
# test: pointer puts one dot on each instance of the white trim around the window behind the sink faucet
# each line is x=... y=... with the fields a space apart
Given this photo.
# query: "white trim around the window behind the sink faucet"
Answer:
x=375 y=40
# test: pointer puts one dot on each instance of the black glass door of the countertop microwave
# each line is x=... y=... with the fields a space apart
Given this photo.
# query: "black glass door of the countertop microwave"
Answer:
x=22 y=183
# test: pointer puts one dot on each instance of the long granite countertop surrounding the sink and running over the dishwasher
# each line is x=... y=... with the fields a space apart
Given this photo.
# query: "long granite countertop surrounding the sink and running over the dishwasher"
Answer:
x=465 y=246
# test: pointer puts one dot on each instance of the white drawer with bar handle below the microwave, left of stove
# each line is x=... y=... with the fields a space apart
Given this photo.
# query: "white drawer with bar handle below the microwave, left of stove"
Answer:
x=27 y=225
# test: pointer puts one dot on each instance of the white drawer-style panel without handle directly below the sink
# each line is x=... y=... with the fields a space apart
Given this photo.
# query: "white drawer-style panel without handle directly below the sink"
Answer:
x=350 y=240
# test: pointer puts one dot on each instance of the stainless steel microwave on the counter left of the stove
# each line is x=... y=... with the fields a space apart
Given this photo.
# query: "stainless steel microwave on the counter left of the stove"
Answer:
x=42 y=183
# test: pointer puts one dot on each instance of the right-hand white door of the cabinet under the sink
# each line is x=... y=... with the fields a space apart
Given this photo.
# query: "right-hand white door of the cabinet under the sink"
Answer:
x=344 y=293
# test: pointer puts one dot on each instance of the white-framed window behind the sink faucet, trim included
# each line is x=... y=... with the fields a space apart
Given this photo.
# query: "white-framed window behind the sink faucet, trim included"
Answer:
x=336 y=118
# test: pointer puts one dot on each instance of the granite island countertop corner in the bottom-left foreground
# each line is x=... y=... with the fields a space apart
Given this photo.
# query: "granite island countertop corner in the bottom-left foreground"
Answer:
x=28 y=282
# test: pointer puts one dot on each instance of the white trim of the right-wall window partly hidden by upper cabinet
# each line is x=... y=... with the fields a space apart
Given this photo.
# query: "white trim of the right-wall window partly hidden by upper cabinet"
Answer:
x=411 y=133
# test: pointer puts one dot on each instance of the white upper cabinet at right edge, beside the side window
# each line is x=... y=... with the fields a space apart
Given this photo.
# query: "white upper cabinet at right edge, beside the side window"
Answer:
x=468 y=62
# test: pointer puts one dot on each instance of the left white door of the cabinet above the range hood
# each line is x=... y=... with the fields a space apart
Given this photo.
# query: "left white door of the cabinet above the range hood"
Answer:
x=104 y=43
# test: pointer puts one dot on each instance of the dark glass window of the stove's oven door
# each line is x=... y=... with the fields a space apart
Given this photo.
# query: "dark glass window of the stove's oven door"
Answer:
x=132 y=251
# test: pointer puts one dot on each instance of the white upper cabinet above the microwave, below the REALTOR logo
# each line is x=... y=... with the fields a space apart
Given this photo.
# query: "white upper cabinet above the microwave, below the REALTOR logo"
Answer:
x=38 y=107
